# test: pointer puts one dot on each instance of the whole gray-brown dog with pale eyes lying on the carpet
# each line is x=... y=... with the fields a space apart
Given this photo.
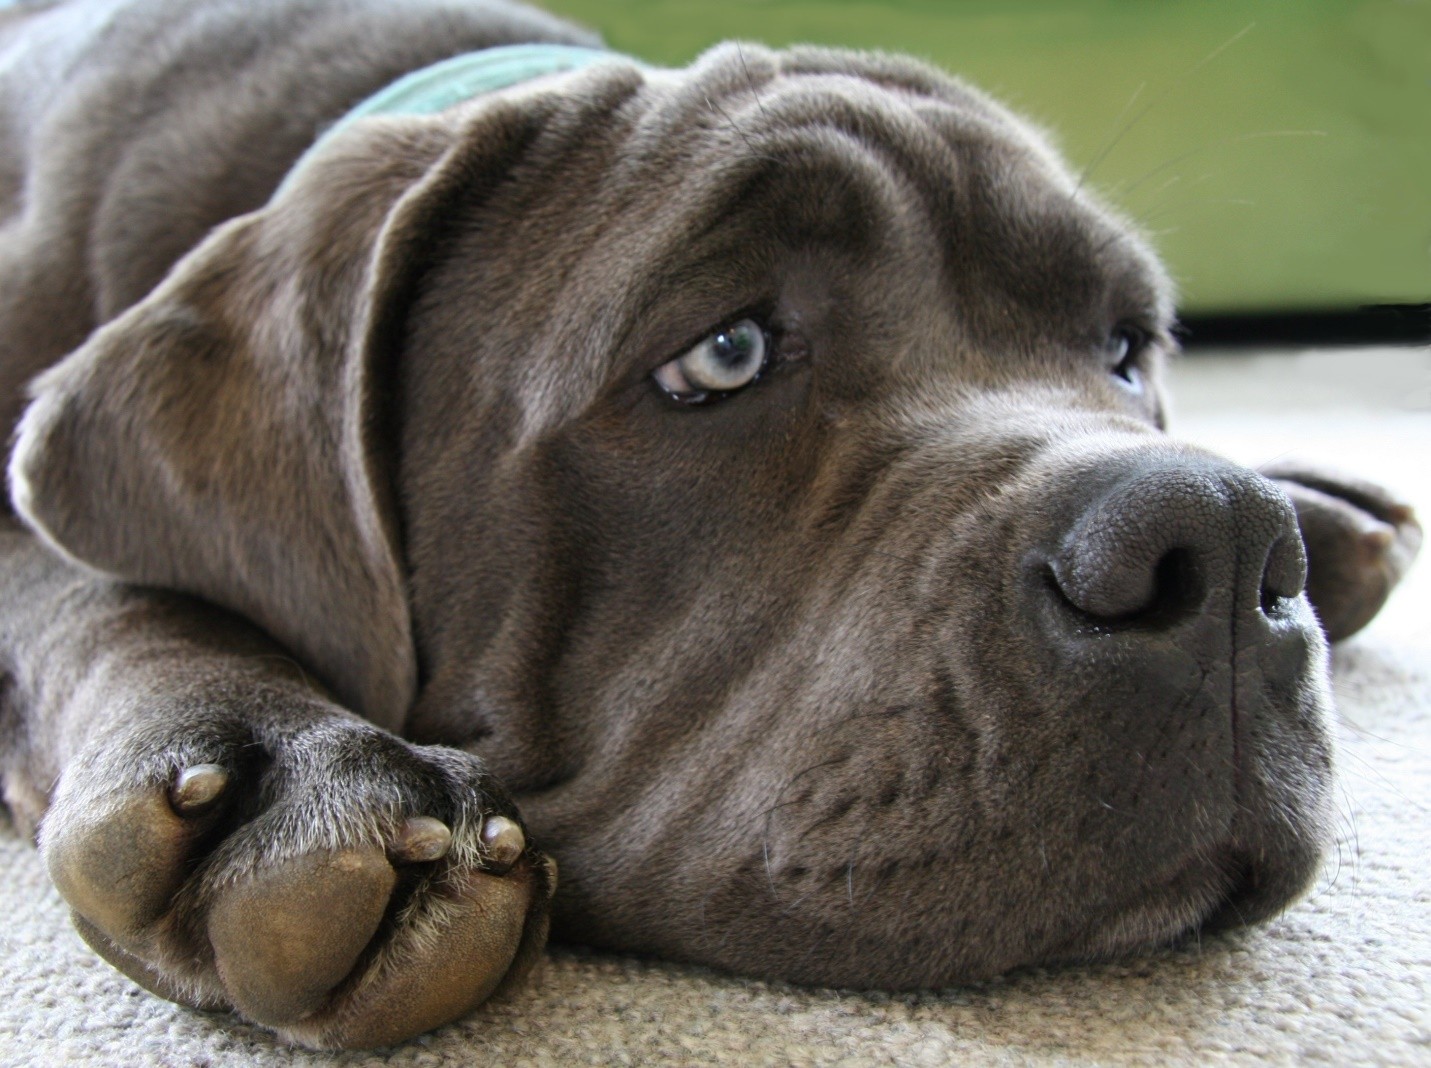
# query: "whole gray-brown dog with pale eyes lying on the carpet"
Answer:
x=753 y=473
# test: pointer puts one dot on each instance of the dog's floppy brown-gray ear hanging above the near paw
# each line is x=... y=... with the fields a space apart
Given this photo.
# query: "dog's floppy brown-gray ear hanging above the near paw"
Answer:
x=228 y=436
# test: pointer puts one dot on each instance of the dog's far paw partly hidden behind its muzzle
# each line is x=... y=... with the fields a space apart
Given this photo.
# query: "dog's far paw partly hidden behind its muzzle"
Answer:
x=1360 y=543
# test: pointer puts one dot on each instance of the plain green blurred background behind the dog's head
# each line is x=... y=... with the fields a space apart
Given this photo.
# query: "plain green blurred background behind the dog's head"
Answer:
x=1279 y=152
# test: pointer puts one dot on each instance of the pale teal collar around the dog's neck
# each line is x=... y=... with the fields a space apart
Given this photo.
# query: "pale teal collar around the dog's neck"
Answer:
x=463 y=78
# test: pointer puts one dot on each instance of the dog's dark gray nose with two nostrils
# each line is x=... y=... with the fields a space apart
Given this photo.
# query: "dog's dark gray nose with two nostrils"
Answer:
x=1164 y=538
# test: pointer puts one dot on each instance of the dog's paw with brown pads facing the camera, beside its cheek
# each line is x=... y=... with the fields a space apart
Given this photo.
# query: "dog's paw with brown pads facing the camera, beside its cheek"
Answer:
x=330 y=881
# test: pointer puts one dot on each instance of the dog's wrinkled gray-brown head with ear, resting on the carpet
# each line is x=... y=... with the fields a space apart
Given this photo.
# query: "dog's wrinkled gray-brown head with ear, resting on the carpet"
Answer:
x=762 y=466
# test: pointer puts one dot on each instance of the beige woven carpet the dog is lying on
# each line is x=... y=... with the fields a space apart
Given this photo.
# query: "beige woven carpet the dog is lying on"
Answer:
x=1340 y=980
